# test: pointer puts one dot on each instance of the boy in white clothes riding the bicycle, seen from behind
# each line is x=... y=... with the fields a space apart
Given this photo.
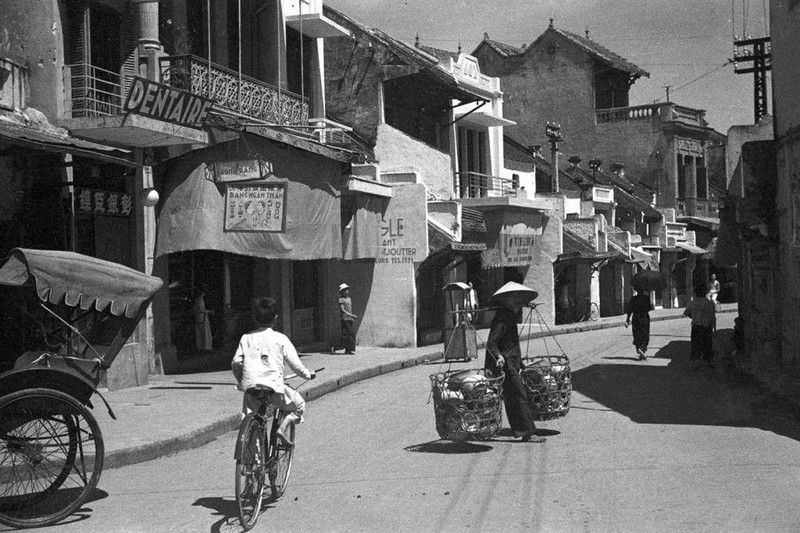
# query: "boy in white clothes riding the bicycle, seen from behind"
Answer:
x=259 y=363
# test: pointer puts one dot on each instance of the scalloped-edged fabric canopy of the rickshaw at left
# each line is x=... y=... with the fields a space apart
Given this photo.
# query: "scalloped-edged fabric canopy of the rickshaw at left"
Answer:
x=80 y=281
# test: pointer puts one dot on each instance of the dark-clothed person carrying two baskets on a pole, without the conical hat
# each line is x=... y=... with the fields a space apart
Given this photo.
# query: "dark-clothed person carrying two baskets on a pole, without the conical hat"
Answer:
x=503 y=354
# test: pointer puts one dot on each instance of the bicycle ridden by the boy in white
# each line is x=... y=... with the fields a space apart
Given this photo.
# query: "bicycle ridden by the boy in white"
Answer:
x=260 y=455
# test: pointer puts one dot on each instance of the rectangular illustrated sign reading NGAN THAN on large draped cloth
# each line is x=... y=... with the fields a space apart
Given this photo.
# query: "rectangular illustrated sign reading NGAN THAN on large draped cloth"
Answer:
x=255 y=208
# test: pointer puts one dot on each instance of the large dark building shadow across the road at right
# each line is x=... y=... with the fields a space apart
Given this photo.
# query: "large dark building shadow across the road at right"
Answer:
x=681 y=393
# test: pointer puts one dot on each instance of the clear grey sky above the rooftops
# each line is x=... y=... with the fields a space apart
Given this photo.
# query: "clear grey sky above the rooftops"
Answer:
x=684 y=44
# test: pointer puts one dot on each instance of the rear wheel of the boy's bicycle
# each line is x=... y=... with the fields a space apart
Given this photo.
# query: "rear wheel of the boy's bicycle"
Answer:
x=250 y=471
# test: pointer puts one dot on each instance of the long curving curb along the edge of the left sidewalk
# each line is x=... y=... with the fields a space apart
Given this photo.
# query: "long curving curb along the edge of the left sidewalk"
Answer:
x=206 y=434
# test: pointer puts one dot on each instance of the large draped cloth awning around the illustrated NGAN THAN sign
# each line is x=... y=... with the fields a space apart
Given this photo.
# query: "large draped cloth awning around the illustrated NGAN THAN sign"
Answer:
x=299 y=218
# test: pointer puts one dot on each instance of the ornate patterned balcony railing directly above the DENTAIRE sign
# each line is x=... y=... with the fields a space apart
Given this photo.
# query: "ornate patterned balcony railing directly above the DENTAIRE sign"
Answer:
x=234 y=92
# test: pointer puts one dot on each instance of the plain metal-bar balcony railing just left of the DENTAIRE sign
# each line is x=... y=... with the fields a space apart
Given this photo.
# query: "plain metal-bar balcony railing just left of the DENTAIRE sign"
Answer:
x=92 y=91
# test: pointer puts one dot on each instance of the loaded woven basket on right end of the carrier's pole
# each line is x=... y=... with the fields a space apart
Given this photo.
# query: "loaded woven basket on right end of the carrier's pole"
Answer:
x=548 y=380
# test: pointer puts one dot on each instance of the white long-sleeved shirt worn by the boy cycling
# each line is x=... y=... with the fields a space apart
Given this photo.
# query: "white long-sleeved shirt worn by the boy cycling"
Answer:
x=263 y=354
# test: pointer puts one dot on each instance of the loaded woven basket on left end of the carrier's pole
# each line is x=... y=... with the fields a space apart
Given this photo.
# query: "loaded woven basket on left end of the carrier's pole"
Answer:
x=468 y=404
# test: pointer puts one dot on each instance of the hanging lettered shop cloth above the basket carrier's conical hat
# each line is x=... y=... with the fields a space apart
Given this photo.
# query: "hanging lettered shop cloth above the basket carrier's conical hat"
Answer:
x=514 y=239
